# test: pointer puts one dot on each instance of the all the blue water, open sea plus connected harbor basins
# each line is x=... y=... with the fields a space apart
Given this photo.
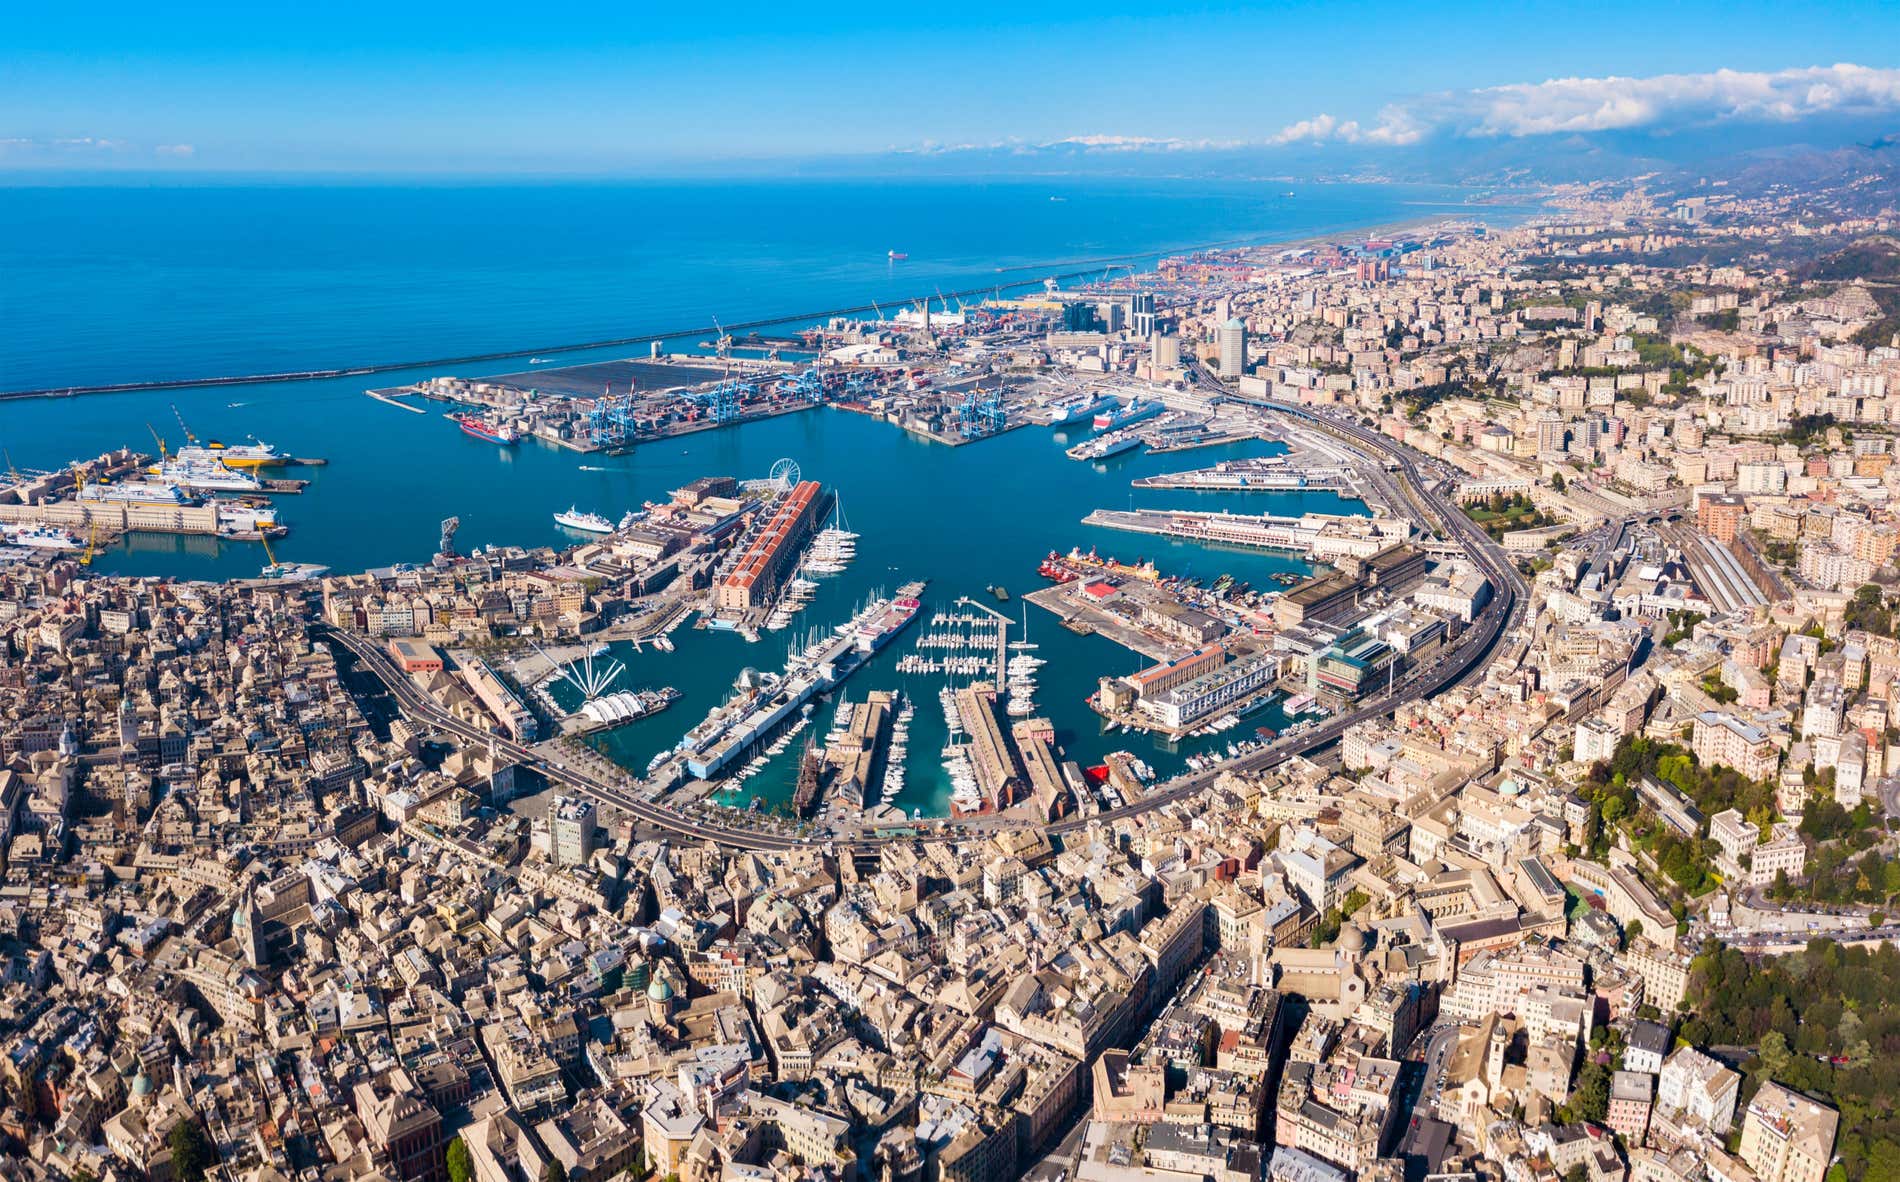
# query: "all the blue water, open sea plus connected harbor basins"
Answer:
x=134 y=284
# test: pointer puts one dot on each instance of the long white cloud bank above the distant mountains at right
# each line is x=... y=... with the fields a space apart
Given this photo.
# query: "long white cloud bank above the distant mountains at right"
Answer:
x=1574 y=105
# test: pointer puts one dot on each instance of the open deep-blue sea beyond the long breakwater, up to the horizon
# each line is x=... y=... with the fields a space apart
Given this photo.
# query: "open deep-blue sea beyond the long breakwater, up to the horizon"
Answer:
x=126 y=284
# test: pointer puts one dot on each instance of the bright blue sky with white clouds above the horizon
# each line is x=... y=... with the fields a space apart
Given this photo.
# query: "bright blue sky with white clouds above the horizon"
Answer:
x=639 y=86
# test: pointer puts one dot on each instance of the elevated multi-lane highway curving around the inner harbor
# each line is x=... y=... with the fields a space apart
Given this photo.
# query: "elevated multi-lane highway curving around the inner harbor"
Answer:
x=1464 y=662
